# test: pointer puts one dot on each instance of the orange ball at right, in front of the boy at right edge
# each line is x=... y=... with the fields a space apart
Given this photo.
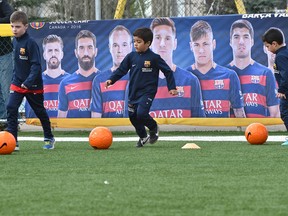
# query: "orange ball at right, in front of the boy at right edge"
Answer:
x=256 y=134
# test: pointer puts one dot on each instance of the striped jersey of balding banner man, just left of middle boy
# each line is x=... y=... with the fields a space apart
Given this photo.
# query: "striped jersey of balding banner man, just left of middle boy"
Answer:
x=110 y=102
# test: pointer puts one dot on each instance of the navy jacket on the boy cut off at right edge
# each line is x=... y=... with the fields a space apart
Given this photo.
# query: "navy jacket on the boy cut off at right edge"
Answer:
x=281 y=73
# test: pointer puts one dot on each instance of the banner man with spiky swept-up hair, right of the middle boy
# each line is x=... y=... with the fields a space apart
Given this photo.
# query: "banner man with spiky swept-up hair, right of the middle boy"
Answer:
x=220 y=86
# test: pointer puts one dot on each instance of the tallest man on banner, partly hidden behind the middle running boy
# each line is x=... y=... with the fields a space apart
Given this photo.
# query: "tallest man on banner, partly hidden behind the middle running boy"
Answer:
x=188 y=102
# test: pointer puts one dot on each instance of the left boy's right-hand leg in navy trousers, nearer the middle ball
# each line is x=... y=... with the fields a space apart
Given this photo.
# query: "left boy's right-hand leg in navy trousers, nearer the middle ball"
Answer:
x=36 y=103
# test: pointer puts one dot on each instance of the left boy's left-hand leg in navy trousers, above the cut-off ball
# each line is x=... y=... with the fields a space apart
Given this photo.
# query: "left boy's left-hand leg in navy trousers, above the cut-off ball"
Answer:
x=14 y=102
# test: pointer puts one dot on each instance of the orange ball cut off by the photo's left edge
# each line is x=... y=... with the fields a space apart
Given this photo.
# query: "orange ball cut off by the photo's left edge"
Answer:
x=7 y=143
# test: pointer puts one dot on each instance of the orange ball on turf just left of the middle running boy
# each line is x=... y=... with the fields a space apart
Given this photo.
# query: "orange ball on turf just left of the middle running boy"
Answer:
x=100 y=138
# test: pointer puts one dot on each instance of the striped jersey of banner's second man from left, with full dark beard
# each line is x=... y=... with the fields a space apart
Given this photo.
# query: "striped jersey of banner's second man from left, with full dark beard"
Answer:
x=75 y=95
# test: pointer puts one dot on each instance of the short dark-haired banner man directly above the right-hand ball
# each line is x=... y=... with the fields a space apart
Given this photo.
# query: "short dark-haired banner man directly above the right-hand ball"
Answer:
x=258 y=83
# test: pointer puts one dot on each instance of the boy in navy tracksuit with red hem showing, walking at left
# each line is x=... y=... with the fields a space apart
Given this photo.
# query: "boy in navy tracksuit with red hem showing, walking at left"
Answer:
x=27 y=80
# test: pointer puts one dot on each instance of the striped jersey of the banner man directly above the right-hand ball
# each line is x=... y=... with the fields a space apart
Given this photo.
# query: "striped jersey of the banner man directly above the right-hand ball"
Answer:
x=259 y=89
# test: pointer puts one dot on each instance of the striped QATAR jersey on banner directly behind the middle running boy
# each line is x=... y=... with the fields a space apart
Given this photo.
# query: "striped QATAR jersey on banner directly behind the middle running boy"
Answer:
x=188 y=103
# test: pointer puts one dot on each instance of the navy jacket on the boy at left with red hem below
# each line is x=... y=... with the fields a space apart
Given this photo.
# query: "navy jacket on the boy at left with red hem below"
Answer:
x=27 y=63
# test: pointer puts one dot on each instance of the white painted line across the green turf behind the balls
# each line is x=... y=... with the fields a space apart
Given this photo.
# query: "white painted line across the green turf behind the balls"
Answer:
x=166 y=138
